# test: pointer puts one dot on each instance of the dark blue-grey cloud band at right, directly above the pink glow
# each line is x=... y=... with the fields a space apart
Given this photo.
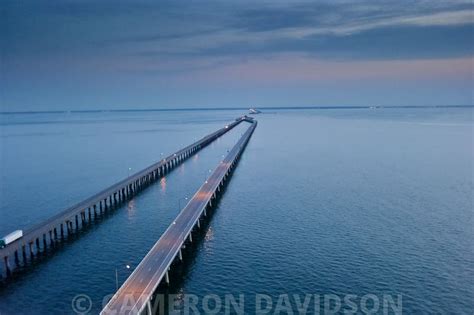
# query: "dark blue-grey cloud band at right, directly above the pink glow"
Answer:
x=401 y=42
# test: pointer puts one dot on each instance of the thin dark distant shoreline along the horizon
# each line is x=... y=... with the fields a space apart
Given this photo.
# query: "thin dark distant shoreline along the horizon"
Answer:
x=231 y=108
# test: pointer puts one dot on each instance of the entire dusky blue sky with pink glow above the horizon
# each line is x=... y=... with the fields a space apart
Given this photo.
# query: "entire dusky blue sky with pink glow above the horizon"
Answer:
x=80 y=55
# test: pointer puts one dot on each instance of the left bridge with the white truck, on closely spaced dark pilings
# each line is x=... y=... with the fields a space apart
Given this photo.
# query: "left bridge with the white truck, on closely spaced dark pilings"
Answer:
x=48 y=233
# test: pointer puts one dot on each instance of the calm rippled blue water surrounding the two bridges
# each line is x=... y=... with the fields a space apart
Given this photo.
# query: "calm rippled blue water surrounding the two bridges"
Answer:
x=322 y=202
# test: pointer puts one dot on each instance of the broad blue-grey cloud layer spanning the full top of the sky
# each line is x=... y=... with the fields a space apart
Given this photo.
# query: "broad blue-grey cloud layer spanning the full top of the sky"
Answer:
x=198 y=35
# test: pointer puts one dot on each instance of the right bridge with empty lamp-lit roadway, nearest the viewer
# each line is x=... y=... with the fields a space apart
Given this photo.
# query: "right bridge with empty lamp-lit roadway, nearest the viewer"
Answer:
x=135 y=295
